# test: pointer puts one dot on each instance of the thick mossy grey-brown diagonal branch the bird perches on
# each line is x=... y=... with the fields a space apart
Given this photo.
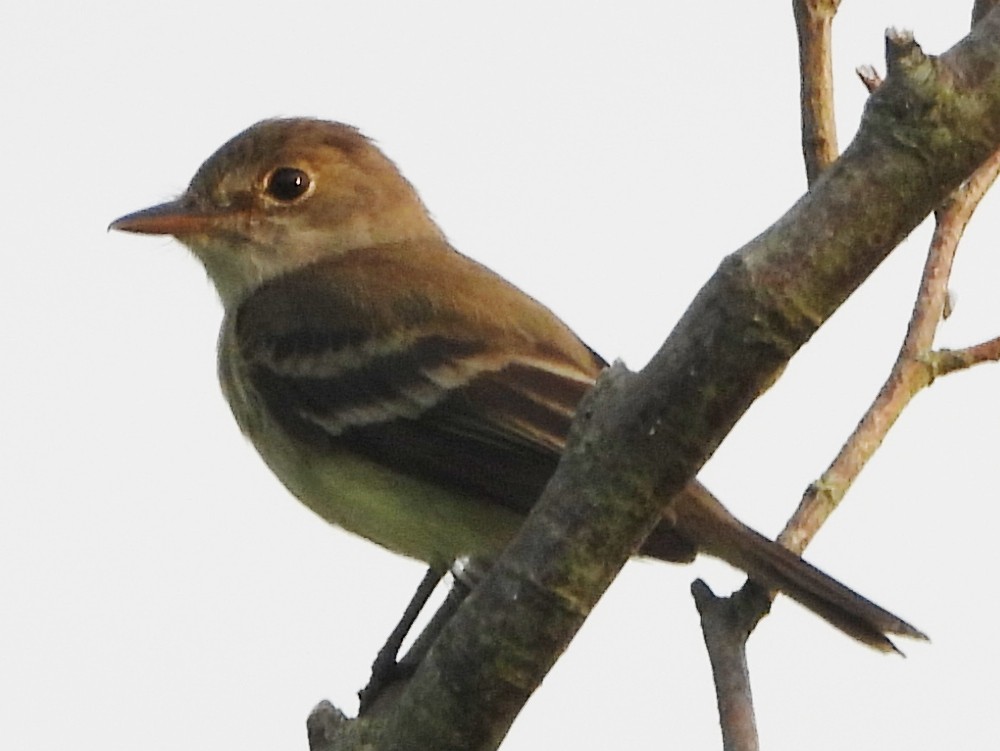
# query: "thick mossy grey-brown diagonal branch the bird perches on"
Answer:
x=641 y=437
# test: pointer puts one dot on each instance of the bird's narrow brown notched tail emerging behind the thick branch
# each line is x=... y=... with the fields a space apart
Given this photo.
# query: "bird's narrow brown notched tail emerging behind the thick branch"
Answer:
x=697 y=516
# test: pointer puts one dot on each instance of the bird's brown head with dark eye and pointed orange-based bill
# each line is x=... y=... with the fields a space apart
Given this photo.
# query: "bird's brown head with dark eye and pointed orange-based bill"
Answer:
x=282 y=194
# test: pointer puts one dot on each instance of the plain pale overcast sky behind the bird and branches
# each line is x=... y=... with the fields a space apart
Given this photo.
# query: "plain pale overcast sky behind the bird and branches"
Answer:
x=159 y=589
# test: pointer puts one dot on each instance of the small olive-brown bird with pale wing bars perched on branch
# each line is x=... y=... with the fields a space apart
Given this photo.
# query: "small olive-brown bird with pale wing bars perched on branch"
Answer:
x=400 y=389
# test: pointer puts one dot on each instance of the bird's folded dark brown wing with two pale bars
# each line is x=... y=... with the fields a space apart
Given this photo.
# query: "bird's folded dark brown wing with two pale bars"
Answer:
x=478 y=398
